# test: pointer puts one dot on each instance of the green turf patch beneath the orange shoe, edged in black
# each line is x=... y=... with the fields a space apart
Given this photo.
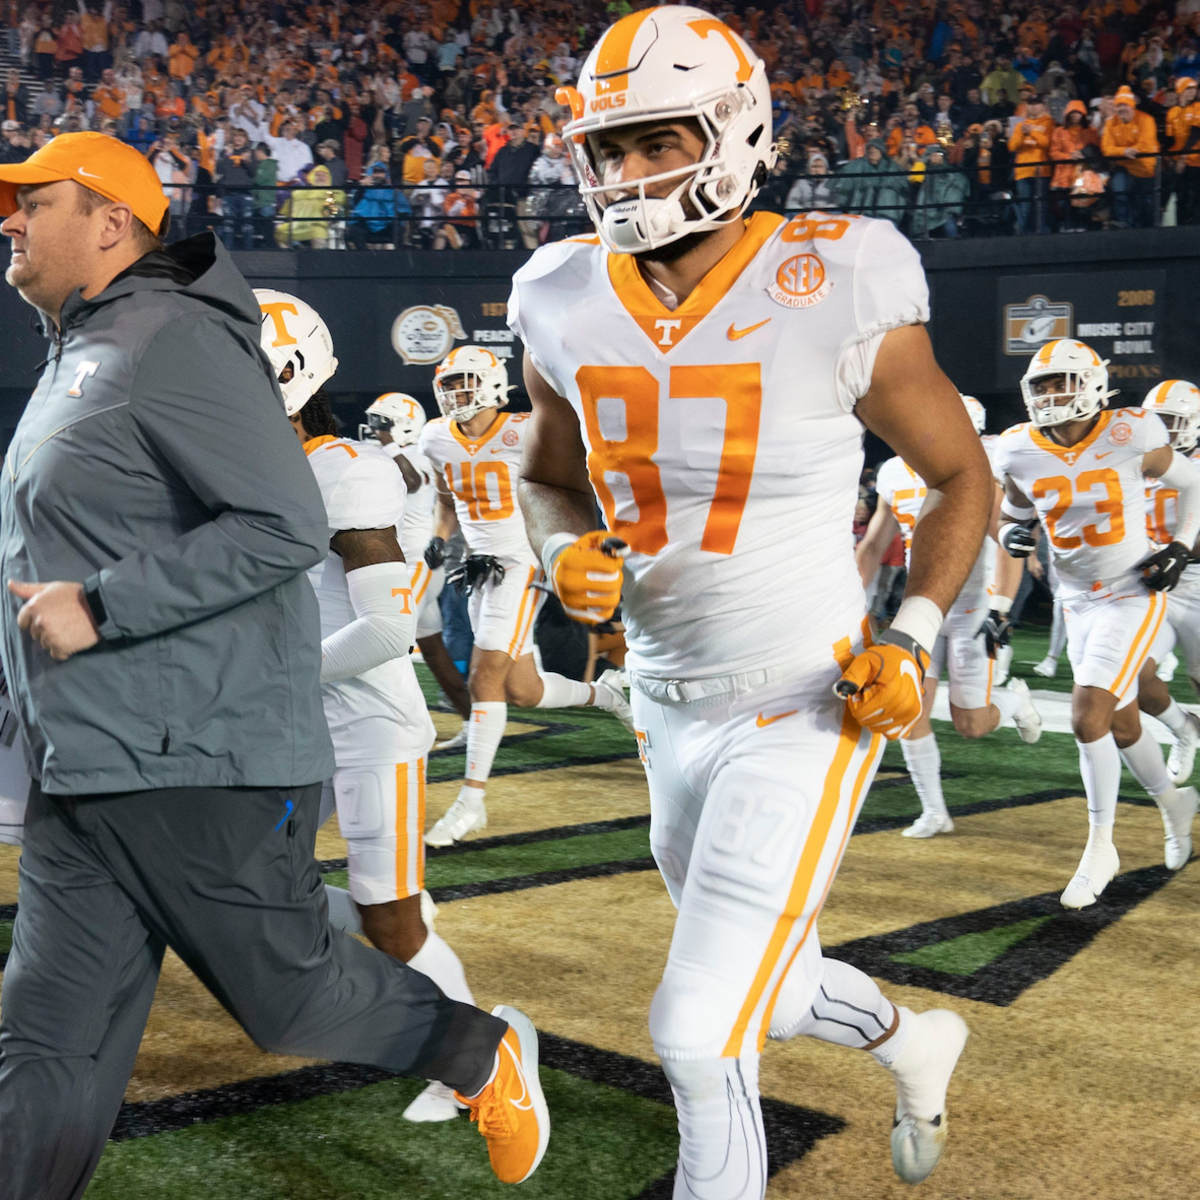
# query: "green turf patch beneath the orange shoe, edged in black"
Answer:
x=605 y=1145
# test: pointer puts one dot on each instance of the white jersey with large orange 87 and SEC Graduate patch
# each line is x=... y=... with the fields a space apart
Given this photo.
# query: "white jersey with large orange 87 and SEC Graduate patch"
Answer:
x=722 y=436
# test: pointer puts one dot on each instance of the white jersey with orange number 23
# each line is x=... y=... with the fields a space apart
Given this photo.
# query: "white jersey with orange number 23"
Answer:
x=1090 y=497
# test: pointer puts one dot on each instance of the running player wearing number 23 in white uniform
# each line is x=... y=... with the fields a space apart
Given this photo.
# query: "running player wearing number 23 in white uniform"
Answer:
x=1082 y=471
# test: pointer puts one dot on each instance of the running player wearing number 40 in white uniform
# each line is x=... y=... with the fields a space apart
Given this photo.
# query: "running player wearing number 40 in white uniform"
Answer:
x=476 y=451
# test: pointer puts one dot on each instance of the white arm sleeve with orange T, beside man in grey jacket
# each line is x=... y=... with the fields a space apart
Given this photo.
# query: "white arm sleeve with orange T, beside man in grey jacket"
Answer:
x=383 y=627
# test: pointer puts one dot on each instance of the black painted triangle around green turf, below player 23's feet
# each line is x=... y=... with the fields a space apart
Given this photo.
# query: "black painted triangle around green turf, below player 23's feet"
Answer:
x=1003 y=981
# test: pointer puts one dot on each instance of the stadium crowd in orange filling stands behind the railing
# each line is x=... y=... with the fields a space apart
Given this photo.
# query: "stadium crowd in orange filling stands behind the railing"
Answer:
x=435 y=124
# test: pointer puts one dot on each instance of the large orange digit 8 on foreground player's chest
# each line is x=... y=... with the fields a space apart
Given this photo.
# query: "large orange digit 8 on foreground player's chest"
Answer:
x=632 y=457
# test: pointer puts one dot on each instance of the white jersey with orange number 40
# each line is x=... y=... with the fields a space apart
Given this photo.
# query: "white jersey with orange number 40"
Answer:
x=483 y=477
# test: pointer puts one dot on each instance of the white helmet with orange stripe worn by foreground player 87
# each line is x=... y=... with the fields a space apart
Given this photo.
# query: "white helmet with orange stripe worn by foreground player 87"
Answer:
x=671 y=64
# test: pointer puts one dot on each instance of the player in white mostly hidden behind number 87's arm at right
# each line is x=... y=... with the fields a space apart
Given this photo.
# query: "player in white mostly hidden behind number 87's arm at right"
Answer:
x=976 y=707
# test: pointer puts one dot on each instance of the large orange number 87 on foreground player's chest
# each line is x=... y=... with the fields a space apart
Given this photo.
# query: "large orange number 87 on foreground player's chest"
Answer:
x=740 y=386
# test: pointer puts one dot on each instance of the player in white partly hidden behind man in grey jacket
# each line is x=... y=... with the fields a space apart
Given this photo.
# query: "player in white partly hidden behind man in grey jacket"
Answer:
x=374 y=704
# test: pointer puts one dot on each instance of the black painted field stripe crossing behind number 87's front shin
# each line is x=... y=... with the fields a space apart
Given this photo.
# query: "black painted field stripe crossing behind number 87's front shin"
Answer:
x=791 y=1131
